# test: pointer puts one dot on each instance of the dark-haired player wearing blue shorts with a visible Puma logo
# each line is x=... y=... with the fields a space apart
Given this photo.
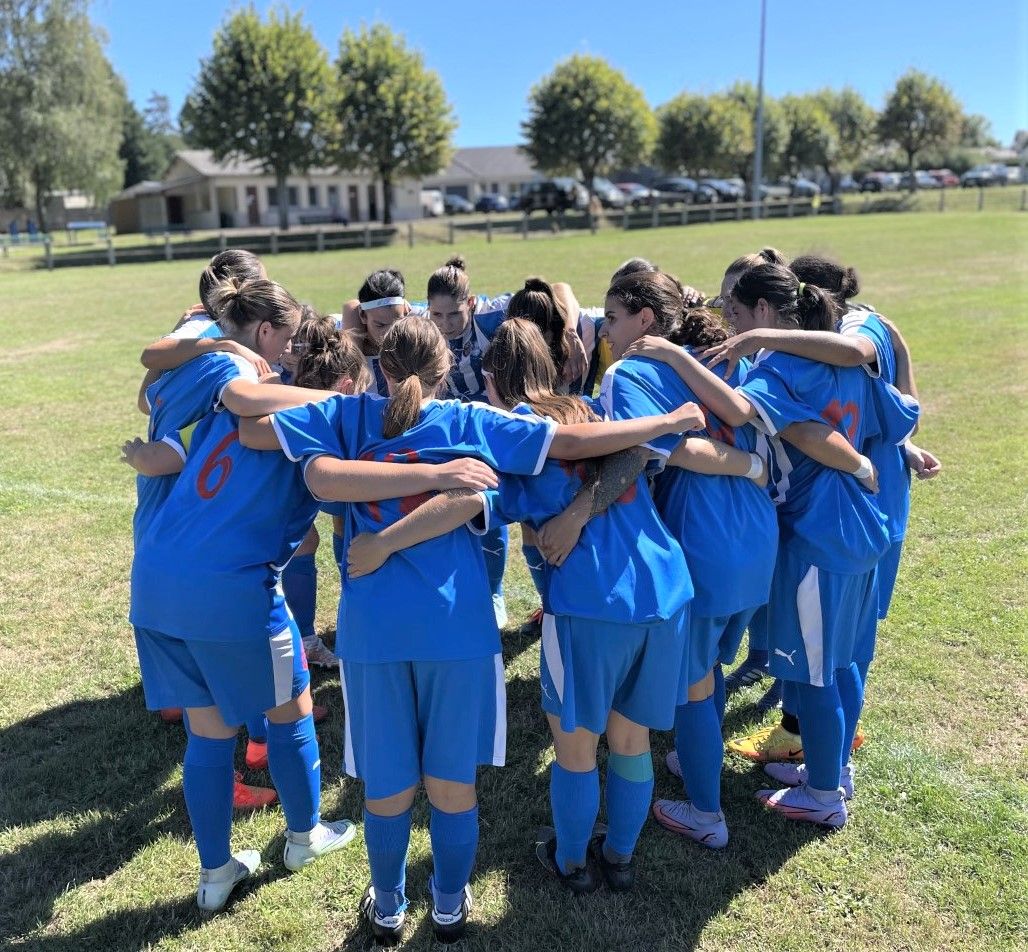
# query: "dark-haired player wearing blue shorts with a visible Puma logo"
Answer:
x=832 y=532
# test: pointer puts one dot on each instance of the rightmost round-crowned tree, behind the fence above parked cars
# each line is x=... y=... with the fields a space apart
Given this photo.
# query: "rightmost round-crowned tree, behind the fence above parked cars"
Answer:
x=920 y=114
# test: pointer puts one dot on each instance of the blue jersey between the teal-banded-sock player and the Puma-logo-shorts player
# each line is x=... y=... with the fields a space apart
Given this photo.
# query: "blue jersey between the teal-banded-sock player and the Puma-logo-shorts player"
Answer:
x=726 y=525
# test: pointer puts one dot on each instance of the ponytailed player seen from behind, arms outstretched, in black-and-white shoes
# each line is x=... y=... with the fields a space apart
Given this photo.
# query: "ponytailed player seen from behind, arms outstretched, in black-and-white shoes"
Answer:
x=426 y=700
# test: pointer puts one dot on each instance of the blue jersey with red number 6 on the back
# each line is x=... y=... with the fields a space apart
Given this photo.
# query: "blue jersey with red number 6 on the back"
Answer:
x=208 y=566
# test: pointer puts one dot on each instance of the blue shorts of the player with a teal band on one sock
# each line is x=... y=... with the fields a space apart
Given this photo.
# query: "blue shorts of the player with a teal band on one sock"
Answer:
x=590 y=669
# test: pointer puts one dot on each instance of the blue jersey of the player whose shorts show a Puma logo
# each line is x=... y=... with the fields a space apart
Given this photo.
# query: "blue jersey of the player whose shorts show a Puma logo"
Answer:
x=826 y=516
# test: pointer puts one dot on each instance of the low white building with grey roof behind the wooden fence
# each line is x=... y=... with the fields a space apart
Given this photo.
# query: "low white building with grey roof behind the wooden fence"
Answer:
x=199 y=193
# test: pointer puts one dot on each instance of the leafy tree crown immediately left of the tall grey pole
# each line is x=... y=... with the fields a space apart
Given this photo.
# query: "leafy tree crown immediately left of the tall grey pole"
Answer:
x=703 y=133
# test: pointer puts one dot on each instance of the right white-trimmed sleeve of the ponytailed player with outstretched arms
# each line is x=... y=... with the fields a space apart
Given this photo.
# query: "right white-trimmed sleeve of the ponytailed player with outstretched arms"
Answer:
x=509 y=443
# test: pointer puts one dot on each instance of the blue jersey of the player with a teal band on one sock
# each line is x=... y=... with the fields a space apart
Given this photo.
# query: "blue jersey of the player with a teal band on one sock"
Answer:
x=626 y=568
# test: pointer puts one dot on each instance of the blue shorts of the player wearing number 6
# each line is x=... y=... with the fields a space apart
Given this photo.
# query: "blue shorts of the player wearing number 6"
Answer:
x=241 y=679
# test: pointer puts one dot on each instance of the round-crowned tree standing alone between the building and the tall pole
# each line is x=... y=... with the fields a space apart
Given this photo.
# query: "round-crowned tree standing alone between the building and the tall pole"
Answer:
x=585 y=119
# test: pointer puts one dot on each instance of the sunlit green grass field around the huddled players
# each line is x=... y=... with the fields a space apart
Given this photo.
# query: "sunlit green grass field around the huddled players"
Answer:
x=95 y=847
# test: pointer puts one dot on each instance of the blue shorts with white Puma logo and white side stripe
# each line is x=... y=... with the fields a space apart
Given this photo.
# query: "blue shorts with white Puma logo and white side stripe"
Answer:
x=816 y=619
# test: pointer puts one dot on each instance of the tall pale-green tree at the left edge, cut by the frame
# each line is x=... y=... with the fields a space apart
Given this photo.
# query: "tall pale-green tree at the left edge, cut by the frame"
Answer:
x=61 y=107
